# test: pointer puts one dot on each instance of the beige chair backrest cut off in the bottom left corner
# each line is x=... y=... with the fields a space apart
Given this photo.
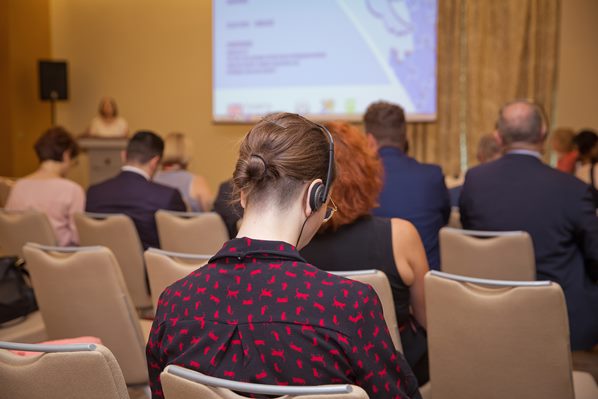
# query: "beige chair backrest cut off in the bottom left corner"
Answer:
x=60 y=372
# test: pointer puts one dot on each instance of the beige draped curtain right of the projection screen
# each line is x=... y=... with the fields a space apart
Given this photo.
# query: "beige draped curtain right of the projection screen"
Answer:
x=489 y=52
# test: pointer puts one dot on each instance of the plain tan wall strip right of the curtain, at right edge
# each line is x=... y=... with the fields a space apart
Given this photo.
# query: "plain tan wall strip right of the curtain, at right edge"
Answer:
x=577 y=96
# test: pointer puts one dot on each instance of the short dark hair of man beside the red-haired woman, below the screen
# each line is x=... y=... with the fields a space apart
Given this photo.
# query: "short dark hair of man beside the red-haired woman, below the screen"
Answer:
x=386 y=122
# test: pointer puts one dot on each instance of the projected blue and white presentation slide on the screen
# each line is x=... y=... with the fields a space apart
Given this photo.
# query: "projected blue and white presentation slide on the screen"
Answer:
x=325 y=59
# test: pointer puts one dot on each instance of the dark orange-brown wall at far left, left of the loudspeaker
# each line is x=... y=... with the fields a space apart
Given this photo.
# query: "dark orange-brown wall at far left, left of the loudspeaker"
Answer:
x=24 y=39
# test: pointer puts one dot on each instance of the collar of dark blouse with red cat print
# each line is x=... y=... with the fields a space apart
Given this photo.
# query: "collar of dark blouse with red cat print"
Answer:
x=239 y=248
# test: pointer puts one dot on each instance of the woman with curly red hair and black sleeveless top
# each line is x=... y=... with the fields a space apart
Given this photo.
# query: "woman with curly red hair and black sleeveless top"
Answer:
x=354 y=240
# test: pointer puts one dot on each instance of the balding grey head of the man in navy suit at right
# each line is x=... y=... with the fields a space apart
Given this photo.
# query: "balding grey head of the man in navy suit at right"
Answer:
x=525 y=126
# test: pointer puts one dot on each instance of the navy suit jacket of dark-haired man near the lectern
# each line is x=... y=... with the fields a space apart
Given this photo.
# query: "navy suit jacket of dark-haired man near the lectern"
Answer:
x=131 y=194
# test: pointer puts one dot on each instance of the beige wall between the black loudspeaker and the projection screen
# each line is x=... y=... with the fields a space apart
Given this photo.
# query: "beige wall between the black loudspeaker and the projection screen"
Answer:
x=154 y=58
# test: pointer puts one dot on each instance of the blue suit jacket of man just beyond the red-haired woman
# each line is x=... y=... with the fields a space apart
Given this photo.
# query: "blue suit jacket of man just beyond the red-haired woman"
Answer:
x=415 y=192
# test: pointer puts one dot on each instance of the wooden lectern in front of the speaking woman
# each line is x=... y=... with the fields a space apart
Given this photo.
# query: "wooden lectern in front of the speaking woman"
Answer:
x=104 y=156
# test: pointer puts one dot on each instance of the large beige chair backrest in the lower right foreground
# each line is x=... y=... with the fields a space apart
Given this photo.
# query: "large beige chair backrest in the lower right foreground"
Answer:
x=497 y=339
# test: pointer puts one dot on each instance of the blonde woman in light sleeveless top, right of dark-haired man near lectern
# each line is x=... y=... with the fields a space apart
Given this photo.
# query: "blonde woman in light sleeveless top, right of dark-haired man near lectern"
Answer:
x=174 y=173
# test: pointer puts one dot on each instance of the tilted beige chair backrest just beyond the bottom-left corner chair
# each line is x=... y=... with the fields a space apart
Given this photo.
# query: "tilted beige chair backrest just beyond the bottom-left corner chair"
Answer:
x=81 y=292
